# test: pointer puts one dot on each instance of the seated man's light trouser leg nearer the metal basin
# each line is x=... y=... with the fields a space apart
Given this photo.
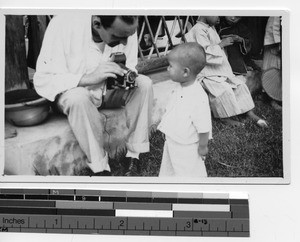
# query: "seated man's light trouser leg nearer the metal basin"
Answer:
x=87 y=126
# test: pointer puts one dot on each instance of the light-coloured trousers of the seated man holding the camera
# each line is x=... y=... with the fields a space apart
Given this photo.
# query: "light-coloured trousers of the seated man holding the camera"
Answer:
x=88 y=126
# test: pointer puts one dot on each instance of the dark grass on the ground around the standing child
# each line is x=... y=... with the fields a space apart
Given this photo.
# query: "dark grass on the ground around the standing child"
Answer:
x=248 y=151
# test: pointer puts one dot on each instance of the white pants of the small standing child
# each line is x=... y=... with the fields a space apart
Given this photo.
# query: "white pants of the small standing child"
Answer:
x=181 y=160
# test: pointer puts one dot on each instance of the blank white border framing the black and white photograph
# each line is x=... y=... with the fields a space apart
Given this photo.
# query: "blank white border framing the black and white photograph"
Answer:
x=153 y=180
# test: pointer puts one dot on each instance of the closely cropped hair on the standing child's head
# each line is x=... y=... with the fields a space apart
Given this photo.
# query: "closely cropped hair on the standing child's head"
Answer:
x=191 y=55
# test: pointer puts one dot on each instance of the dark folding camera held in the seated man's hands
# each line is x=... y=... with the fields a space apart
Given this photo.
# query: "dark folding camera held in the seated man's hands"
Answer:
x=128 y=80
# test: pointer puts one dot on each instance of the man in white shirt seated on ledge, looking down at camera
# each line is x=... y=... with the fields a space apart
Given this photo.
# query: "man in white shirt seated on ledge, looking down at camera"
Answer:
x=72 y=69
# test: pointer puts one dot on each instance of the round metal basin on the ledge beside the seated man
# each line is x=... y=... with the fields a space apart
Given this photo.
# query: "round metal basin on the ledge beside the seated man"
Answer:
x=24 y=107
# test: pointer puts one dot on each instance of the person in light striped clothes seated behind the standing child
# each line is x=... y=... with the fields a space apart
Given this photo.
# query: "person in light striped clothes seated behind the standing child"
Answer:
x=228 y=95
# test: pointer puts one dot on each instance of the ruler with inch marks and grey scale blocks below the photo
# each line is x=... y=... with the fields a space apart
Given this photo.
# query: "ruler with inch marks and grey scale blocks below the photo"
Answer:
x=124 y=212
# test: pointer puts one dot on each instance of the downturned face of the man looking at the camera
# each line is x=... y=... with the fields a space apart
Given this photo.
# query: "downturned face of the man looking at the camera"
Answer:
x=116 y=34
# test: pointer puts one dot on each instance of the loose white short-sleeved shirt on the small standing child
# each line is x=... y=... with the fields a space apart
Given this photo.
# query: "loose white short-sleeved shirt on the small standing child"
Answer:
x=187 y=114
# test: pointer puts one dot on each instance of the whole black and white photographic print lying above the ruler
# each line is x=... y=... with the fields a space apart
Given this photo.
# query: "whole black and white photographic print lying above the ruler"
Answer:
x=166 y=97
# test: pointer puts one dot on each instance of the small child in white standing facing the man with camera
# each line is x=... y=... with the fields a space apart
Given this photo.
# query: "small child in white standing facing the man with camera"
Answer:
x=187 y=121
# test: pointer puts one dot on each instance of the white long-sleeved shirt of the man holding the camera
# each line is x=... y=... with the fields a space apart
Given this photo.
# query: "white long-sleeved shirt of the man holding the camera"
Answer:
x=68 y=52
